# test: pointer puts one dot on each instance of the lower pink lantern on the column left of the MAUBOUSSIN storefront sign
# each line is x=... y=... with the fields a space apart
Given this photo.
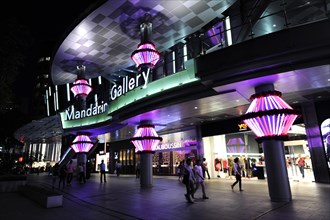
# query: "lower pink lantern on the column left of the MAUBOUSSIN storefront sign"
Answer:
x=146 y=139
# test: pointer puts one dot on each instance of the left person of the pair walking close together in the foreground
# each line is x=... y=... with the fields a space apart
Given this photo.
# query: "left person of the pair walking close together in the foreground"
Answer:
x=189 y=180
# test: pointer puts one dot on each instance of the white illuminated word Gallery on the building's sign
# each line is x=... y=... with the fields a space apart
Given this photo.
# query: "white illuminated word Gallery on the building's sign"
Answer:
x=128 y=84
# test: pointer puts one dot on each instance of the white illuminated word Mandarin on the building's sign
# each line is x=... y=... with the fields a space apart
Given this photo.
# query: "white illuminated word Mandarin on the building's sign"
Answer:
x=71 y=114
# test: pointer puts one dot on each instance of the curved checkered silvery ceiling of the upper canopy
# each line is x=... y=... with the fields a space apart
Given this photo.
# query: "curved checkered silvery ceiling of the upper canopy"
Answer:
x=105 y=39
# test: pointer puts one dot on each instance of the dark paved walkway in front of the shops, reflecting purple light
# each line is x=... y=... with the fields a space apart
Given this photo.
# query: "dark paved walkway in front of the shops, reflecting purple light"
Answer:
x=123 y=198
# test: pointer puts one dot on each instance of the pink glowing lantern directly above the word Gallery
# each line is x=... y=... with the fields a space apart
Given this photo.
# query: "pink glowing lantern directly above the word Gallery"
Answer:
x=145 y=54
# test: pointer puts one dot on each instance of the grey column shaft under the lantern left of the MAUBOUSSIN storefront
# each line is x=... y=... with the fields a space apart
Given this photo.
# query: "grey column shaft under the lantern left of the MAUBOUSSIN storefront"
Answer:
x=146 y=179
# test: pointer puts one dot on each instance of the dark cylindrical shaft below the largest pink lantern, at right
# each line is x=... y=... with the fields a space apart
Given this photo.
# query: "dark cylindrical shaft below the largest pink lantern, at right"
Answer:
x=277 y=175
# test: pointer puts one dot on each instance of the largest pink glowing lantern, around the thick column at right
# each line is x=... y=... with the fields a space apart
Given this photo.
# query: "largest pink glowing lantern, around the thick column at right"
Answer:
x=269 y=116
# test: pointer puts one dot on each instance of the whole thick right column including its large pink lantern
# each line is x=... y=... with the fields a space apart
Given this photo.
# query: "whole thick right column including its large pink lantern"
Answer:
x=270 y=118
